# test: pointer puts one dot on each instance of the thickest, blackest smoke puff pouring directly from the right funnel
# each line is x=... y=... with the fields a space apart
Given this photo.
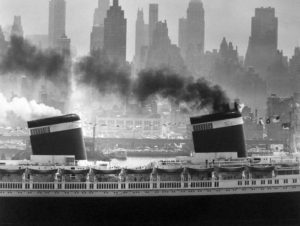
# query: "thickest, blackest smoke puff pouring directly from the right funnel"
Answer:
x=198 y=94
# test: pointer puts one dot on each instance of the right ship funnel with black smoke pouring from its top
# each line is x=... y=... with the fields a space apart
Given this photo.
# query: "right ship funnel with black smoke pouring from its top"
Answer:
x=219 y=135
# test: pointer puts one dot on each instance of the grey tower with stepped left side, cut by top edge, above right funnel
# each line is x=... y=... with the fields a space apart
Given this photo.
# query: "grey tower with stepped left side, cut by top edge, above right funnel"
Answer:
x=192 y=35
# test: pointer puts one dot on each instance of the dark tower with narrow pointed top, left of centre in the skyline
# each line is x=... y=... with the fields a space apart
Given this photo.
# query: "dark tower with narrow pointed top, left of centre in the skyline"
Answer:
x=115 y=28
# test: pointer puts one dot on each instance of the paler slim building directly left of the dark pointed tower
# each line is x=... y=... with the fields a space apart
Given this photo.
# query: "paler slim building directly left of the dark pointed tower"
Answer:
x=97 y=34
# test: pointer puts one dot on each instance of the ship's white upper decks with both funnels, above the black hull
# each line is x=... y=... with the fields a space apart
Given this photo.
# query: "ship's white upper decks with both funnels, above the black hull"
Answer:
x=64 y=172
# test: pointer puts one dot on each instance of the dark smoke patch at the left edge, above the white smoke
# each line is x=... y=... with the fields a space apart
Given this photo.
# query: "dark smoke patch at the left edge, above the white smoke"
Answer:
x=22 y=57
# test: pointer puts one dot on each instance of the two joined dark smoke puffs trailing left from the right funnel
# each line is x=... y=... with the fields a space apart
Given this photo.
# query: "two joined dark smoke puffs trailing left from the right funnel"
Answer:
x=107 y=77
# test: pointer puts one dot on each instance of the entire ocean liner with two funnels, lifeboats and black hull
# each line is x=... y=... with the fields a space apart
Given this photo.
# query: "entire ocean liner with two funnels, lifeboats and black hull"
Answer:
x=218 y=181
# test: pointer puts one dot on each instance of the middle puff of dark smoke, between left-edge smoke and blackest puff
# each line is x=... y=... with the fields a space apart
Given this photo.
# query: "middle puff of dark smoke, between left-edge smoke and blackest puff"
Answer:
x=106 y=76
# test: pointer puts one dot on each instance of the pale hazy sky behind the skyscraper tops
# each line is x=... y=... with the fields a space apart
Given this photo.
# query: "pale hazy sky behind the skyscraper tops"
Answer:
x=229 y=18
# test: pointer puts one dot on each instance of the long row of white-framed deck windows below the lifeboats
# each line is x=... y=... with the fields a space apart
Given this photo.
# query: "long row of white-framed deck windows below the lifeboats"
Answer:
x=153 y=185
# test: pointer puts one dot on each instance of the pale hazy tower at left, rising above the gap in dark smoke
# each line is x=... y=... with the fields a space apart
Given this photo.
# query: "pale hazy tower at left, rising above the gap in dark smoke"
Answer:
x=57 y=21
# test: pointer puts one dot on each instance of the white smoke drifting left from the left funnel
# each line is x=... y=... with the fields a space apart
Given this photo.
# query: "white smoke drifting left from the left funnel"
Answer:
x=23 y=109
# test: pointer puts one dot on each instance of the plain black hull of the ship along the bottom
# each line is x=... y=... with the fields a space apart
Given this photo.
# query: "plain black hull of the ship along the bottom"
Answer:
x=246 y=209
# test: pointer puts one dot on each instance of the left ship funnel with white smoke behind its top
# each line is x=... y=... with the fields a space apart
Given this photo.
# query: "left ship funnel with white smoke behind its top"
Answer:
x=61 y=135
